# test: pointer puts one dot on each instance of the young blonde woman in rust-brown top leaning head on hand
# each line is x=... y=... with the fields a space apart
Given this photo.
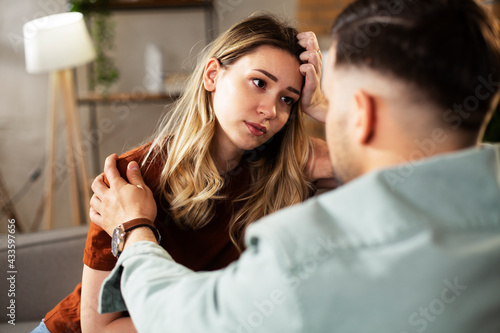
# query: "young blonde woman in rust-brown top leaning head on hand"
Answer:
x=233 y=150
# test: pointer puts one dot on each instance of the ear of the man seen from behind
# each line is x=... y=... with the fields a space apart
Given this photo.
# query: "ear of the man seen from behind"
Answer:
x=366 y=116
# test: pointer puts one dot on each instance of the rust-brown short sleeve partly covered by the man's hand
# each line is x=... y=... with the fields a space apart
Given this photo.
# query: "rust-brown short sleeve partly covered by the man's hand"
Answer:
x=97 y=253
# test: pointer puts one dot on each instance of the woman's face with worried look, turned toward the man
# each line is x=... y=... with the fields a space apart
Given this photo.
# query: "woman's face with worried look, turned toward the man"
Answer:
x=253 y=97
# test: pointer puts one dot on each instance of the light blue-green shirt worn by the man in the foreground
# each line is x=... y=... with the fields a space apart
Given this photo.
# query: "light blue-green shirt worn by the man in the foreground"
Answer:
x=414 y=248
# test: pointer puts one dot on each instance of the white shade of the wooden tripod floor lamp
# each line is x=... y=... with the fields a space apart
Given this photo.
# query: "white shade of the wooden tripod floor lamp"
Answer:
x=57 y=42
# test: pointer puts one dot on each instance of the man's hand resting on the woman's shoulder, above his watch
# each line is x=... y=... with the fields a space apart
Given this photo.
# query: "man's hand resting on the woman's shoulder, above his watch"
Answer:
x=120 y=201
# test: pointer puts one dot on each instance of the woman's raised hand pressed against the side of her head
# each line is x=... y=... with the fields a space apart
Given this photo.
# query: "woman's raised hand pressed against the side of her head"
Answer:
x=313 y=101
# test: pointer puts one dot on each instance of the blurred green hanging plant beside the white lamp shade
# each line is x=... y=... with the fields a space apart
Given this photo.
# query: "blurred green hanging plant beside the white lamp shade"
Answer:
x=102 y=29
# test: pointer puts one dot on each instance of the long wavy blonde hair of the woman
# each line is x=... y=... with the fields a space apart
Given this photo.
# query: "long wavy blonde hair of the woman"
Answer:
x=190 y=181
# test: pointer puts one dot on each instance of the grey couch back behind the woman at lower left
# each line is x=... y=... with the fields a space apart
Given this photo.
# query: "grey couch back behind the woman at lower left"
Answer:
x=48 y=266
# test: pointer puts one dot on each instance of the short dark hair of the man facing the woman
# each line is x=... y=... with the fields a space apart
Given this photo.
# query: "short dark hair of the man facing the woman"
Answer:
x=450 y=49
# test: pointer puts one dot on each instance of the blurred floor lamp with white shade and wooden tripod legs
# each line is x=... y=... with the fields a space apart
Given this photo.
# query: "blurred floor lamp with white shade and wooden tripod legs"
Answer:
x=56 y=44
